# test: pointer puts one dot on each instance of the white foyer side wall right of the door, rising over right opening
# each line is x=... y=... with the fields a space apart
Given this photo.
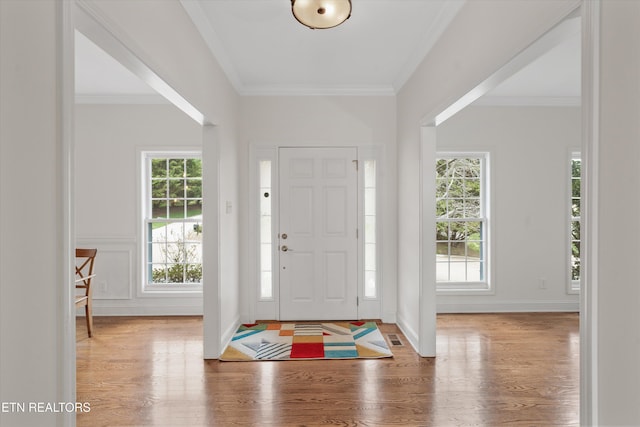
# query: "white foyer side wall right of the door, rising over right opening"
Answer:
x=469 y=51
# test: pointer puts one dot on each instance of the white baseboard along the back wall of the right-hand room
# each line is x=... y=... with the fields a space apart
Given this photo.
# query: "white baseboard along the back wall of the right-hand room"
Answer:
x=509 y=307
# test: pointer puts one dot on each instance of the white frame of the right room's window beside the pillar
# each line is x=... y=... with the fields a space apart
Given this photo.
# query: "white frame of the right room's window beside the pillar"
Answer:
x=484 y=286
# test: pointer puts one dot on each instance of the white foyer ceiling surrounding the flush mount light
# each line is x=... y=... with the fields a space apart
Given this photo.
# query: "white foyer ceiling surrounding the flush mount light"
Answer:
x=264 y=50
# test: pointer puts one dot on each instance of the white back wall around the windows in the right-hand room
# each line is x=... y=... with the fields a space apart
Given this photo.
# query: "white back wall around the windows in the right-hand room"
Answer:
x=529 y=149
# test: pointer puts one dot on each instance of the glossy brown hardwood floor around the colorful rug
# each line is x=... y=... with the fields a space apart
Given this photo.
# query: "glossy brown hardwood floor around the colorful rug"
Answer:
x=490 y=370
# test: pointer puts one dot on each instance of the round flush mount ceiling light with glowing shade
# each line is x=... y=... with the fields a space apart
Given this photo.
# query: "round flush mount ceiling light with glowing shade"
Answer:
x=321 y=14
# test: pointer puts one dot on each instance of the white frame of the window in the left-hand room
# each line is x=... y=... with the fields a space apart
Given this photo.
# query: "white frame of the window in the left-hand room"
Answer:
x=147 y=288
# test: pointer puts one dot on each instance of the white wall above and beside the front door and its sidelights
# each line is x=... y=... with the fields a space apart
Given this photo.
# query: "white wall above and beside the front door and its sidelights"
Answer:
x=329 y=121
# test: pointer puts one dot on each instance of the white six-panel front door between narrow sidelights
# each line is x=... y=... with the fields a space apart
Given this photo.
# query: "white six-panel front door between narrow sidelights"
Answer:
x=318 y=233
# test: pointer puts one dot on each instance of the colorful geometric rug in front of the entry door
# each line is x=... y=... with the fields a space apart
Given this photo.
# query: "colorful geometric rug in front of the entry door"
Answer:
x=306 y=341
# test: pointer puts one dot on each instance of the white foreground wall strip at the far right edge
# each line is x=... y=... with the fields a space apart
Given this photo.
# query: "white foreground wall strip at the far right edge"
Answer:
x=618 y=292
